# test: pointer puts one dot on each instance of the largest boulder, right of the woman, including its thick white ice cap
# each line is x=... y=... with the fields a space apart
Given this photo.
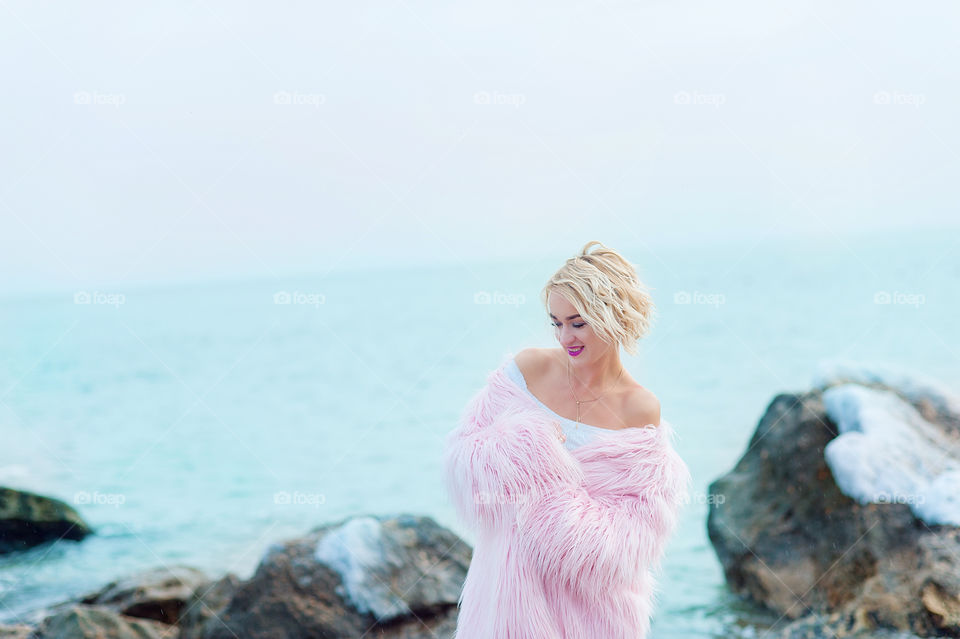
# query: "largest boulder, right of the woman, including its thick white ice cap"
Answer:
x=841 y=514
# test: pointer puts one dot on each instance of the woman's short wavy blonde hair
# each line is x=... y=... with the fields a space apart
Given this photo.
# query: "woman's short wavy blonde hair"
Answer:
x=605 y=290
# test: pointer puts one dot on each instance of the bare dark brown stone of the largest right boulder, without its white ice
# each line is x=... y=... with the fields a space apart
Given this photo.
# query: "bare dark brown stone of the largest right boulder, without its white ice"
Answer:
x=790 y=539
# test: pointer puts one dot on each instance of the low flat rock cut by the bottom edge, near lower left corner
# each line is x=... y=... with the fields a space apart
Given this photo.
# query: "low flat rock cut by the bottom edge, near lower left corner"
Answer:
x=83 y=622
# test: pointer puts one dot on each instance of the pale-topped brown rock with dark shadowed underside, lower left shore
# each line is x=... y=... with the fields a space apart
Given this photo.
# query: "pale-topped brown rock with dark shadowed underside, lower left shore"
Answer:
x=161 y=594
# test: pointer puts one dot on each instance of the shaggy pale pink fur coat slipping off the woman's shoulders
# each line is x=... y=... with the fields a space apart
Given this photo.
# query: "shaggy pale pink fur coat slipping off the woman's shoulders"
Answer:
x=566 y=539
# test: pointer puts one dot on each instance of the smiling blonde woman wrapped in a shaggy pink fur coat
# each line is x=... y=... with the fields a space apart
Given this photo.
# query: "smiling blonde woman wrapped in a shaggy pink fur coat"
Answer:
x=565 y=471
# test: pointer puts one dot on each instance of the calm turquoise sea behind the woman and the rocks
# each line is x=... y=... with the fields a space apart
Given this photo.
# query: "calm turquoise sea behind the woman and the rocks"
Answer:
x=200 y=423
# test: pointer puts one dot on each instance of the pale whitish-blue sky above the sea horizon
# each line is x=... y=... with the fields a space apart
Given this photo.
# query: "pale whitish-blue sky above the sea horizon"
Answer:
x=145 y=142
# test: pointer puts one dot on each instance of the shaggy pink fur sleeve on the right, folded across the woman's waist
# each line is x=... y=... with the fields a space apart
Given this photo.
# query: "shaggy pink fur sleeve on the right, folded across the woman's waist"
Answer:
x=594 y=542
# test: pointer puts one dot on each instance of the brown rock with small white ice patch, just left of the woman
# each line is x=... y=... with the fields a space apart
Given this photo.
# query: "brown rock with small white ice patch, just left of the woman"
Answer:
x=365 y=576
